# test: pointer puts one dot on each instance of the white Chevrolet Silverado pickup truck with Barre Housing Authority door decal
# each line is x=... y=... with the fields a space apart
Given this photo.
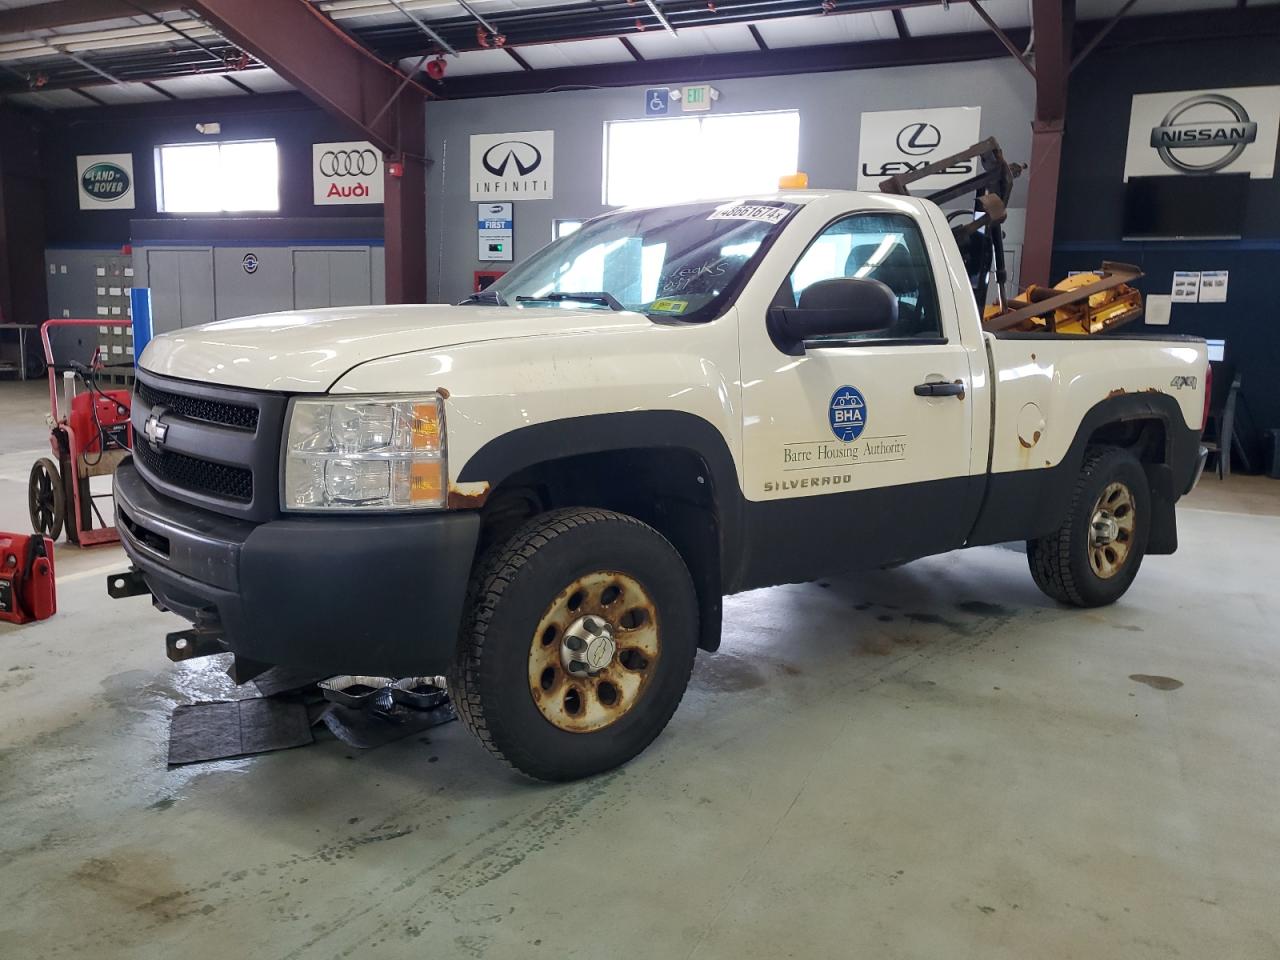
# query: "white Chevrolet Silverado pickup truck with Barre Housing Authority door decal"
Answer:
x=546 y=492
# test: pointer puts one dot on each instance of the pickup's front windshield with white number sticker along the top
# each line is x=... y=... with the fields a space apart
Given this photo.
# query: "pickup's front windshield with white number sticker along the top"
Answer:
x=676 y=262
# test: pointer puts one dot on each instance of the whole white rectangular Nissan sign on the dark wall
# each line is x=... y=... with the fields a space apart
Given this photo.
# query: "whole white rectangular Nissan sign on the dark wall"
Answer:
x=1204 y=132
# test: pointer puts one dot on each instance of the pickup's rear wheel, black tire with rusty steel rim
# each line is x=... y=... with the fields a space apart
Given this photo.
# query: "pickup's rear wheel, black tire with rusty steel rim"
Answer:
x=1080 y=566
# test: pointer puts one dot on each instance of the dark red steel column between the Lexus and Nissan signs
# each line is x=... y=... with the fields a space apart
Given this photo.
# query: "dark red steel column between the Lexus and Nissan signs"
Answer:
x=1054 y=22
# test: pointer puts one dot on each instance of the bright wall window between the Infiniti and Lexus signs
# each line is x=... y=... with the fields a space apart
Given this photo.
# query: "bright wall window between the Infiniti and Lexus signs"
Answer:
x=698 y=158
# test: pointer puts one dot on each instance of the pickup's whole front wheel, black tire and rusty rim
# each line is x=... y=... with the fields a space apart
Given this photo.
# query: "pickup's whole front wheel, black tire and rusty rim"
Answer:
x=514 y=679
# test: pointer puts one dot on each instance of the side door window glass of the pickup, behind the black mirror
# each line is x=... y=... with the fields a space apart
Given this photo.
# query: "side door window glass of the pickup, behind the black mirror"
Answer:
x=884 y=248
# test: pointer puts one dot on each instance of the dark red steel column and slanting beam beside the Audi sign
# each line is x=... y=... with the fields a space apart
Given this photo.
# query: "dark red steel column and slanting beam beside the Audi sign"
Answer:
x=380 y=102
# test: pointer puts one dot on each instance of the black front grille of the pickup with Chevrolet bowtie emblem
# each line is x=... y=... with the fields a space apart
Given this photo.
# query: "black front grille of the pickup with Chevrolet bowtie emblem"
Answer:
x=222 y=447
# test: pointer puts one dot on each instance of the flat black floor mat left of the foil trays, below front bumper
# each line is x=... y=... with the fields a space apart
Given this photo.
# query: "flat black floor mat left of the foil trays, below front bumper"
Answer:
x=221 y=730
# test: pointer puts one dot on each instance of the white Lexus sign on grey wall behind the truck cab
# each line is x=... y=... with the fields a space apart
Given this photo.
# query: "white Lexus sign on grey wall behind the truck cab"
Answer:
x=900 y=141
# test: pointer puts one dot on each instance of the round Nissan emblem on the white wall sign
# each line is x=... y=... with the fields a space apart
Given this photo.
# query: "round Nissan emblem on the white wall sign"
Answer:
x=1199 y=125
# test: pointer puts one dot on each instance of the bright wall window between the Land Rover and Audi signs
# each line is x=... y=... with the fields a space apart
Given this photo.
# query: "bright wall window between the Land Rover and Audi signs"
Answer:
x=209 y=179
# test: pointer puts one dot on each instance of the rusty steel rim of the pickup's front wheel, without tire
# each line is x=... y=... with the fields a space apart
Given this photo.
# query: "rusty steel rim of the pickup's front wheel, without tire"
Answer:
x=595 y=652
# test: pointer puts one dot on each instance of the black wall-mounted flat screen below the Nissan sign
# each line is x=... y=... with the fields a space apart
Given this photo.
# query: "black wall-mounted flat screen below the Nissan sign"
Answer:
x=1186 y=208
